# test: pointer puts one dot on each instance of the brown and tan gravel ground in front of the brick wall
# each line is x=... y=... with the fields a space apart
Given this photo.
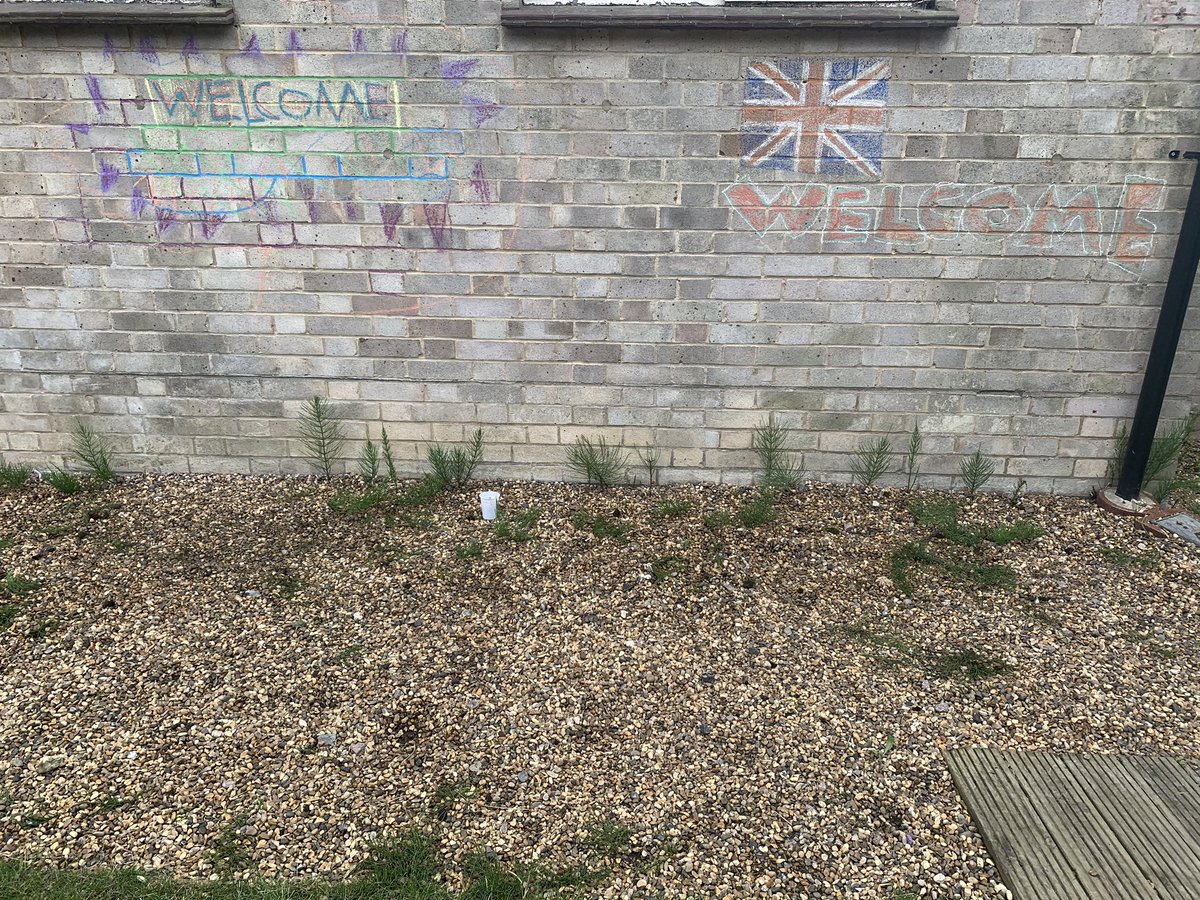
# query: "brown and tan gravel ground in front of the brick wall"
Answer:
x=215 y=659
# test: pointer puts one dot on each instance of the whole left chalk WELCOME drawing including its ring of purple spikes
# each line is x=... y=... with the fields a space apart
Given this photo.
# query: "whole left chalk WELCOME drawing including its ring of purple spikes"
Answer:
x=281 y=151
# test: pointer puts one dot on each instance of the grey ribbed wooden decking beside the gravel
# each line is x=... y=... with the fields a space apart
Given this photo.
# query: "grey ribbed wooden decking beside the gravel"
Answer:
x=1085 y=826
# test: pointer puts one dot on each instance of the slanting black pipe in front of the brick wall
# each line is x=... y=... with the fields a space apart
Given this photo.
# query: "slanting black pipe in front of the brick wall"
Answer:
x=1167 y=340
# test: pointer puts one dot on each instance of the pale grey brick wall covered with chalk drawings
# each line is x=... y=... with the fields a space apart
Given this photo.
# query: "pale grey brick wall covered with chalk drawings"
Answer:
x=439 y=224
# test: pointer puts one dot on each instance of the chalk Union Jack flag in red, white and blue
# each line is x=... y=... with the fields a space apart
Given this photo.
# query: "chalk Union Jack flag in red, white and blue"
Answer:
x=817 y=117
